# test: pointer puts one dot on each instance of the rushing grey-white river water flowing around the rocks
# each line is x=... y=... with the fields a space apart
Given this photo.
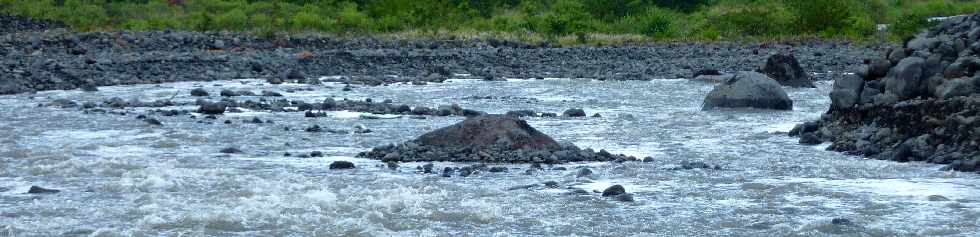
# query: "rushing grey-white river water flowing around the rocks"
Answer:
x=119 y=176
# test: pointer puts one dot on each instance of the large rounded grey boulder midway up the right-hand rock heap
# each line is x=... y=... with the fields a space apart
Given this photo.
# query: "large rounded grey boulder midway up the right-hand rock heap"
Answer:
x=905 y=79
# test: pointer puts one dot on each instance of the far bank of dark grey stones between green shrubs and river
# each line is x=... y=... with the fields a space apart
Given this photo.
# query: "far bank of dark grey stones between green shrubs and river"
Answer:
x=49 y=60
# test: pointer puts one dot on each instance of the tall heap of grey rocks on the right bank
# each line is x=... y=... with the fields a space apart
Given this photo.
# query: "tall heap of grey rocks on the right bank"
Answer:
x=920 y=102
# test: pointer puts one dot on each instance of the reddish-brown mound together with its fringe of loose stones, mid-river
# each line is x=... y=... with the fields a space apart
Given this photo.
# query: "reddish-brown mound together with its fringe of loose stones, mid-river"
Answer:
x=488 y=138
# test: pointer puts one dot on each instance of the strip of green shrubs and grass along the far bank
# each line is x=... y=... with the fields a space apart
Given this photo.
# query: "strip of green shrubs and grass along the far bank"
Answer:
x=571 y=21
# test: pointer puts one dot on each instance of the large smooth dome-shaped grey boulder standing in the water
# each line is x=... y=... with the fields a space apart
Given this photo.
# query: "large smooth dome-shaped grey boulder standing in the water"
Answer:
x=748 y=90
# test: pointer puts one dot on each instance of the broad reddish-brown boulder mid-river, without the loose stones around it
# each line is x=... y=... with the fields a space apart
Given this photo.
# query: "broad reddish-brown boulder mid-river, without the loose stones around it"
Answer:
x=489 y=131
